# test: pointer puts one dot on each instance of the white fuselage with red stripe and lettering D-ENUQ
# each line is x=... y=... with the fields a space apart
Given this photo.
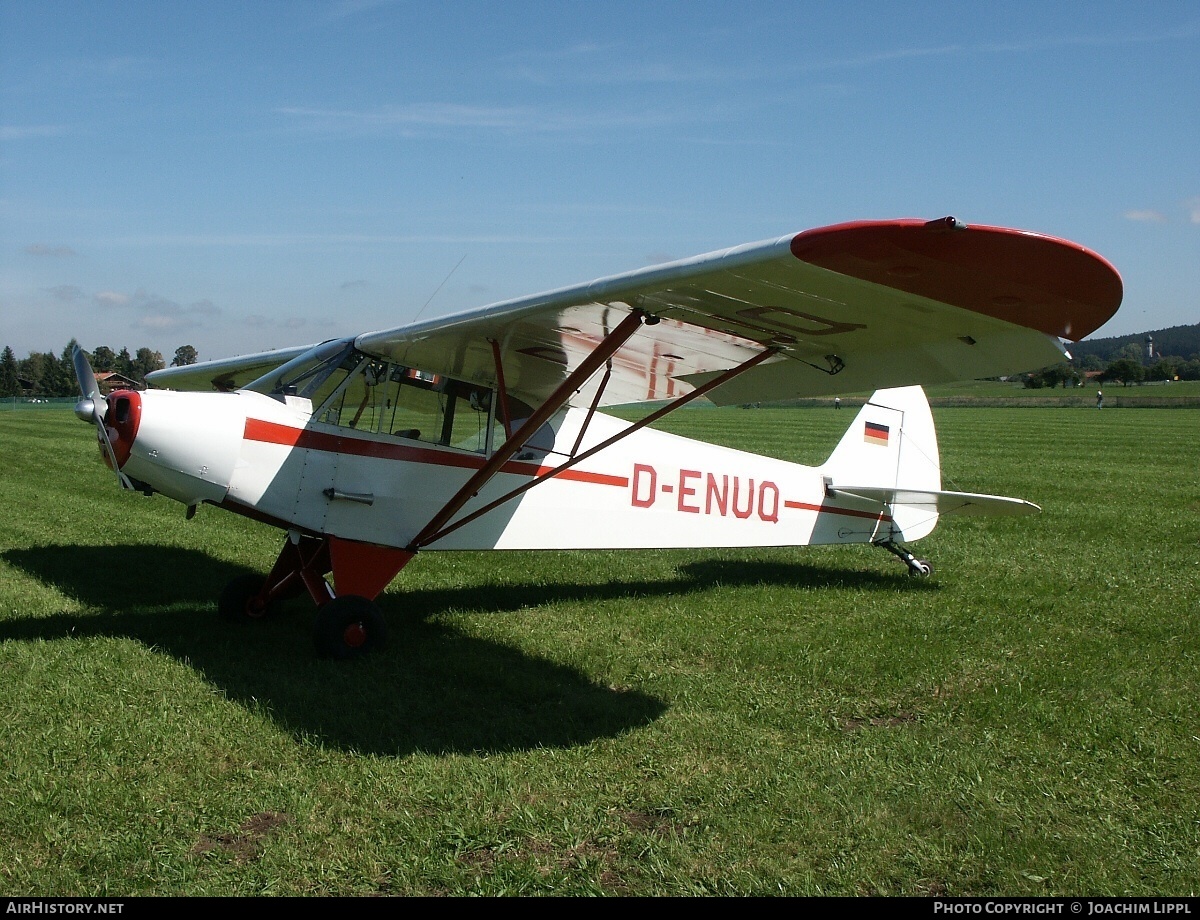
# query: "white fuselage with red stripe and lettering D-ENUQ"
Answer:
x=271 y=459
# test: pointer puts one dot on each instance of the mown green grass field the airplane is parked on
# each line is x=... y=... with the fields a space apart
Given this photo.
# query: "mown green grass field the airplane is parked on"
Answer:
x=705 y=723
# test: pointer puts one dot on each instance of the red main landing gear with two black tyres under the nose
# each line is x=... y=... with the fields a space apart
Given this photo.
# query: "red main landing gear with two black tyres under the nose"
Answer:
x=349 y=626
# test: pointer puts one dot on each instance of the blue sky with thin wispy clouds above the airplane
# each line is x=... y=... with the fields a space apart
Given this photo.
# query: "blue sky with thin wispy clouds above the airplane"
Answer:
x=241 y=177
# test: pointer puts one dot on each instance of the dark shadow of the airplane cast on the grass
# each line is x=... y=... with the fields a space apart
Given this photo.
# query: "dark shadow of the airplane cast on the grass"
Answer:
x=433 y=689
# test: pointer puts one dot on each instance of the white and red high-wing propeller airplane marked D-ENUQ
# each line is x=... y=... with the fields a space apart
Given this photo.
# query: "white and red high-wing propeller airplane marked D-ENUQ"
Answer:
x=484 y=430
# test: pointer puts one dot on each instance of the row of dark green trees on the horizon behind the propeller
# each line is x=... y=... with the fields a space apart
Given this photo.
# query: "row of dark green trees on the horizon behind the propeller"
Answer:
x=46 y=375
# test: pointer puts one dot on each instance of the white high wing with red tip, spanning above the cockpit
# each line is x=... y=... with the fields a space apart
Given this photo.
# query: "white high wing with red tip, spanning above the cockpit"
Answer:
x=844 y=309
